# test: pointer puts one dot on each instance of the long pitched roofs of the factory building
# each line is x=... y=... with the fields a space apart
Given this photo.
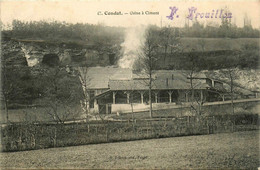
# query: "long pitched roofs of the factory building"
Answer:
x=123 y=79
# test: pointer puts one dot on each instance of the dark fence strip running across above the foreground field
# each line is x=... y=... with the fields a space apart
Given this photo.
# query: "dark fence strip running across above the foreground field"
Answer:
x=18 y=137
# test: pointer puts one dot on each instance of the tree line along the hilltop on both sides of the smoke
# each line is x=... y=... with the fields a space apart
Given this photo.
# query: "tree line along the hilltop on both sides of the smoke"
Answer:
x=89 y=32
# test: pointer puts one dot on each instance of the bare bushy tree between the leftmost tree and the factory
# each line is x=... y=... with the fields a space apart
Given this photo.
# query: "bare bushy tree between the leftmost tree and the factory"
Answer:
x=60 y=93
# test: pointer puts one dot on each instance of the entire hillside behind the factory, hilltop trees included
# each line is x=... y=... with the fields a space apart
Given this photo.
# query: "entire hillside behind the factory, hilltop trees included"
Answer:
x=101 y=45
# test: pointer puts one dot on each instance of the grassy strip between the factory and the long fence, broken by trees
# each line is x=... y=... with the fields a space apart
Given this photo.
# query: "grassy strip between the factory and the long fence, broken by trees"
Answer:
x=39 y=113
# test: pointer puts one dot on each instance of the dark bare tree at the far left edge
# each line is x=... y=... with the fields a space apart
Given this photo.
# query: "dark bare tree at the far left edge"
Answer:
x=15 y=77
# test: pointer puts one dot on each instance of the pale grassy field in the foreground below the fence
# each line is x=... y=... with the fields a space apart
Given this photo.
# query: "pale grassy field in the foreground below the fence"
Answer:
x=228 y=150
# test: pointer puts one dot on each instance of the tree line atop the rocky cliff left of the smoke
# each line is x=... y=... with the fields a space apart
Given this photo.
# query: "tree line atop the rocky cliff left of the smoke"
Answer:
x=56 y=30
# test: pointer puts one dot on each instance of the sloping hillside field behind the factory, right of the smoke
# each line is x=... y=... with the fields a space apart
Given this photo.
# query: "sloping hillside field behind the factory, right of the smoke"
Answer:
x=213 y=53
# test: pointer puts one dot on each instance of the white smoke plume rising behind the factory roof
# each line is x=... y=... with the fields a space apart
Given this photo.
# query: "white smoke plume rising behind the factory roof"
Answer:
x=132 y=46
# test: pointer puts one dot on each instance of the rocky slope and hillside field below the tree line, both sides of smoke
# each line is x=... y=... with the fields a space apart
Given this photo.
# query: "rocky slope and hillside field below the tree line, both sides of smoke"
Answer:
x=217 y=53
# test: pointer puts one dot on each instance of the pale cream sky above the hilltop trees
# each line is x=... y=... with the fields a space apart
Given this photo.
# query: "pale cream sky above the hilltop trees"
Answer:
x=86 y=11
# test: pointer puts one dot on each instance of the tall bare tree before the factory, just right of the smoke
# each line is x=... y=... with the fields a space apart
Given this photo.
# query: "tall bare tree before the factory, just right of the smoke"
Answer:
x=148 y=57
